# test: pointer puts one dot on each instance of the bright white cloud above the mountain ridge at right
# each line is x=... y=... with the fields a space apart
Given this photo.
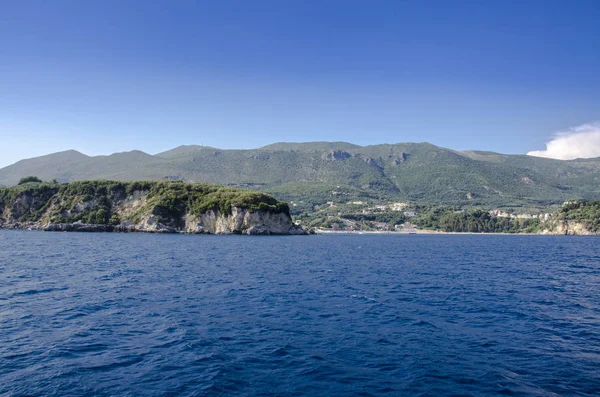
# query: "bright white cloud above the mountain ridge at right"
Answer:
x=579 y=142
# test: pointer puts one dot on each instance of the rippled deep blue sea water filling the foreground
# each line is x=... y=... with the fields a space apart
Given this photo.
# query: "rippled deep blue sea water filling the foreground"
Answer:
x=169 y=315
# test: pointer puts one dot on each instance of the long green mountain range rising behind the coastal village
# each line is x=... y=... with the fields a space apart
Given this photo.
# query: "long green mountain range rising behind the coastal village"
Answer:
x=313 y=173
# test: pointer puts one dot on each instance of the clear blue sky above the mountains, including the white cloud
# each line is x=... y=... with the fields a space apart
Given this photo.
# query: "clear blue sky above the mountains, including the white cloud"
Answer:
x=105 y=76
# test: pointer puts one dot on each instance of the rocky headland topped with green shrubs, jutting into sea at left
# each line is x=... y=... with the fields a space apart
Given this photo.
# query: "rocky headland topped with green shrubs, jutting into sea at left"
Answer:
x=154 y=207
